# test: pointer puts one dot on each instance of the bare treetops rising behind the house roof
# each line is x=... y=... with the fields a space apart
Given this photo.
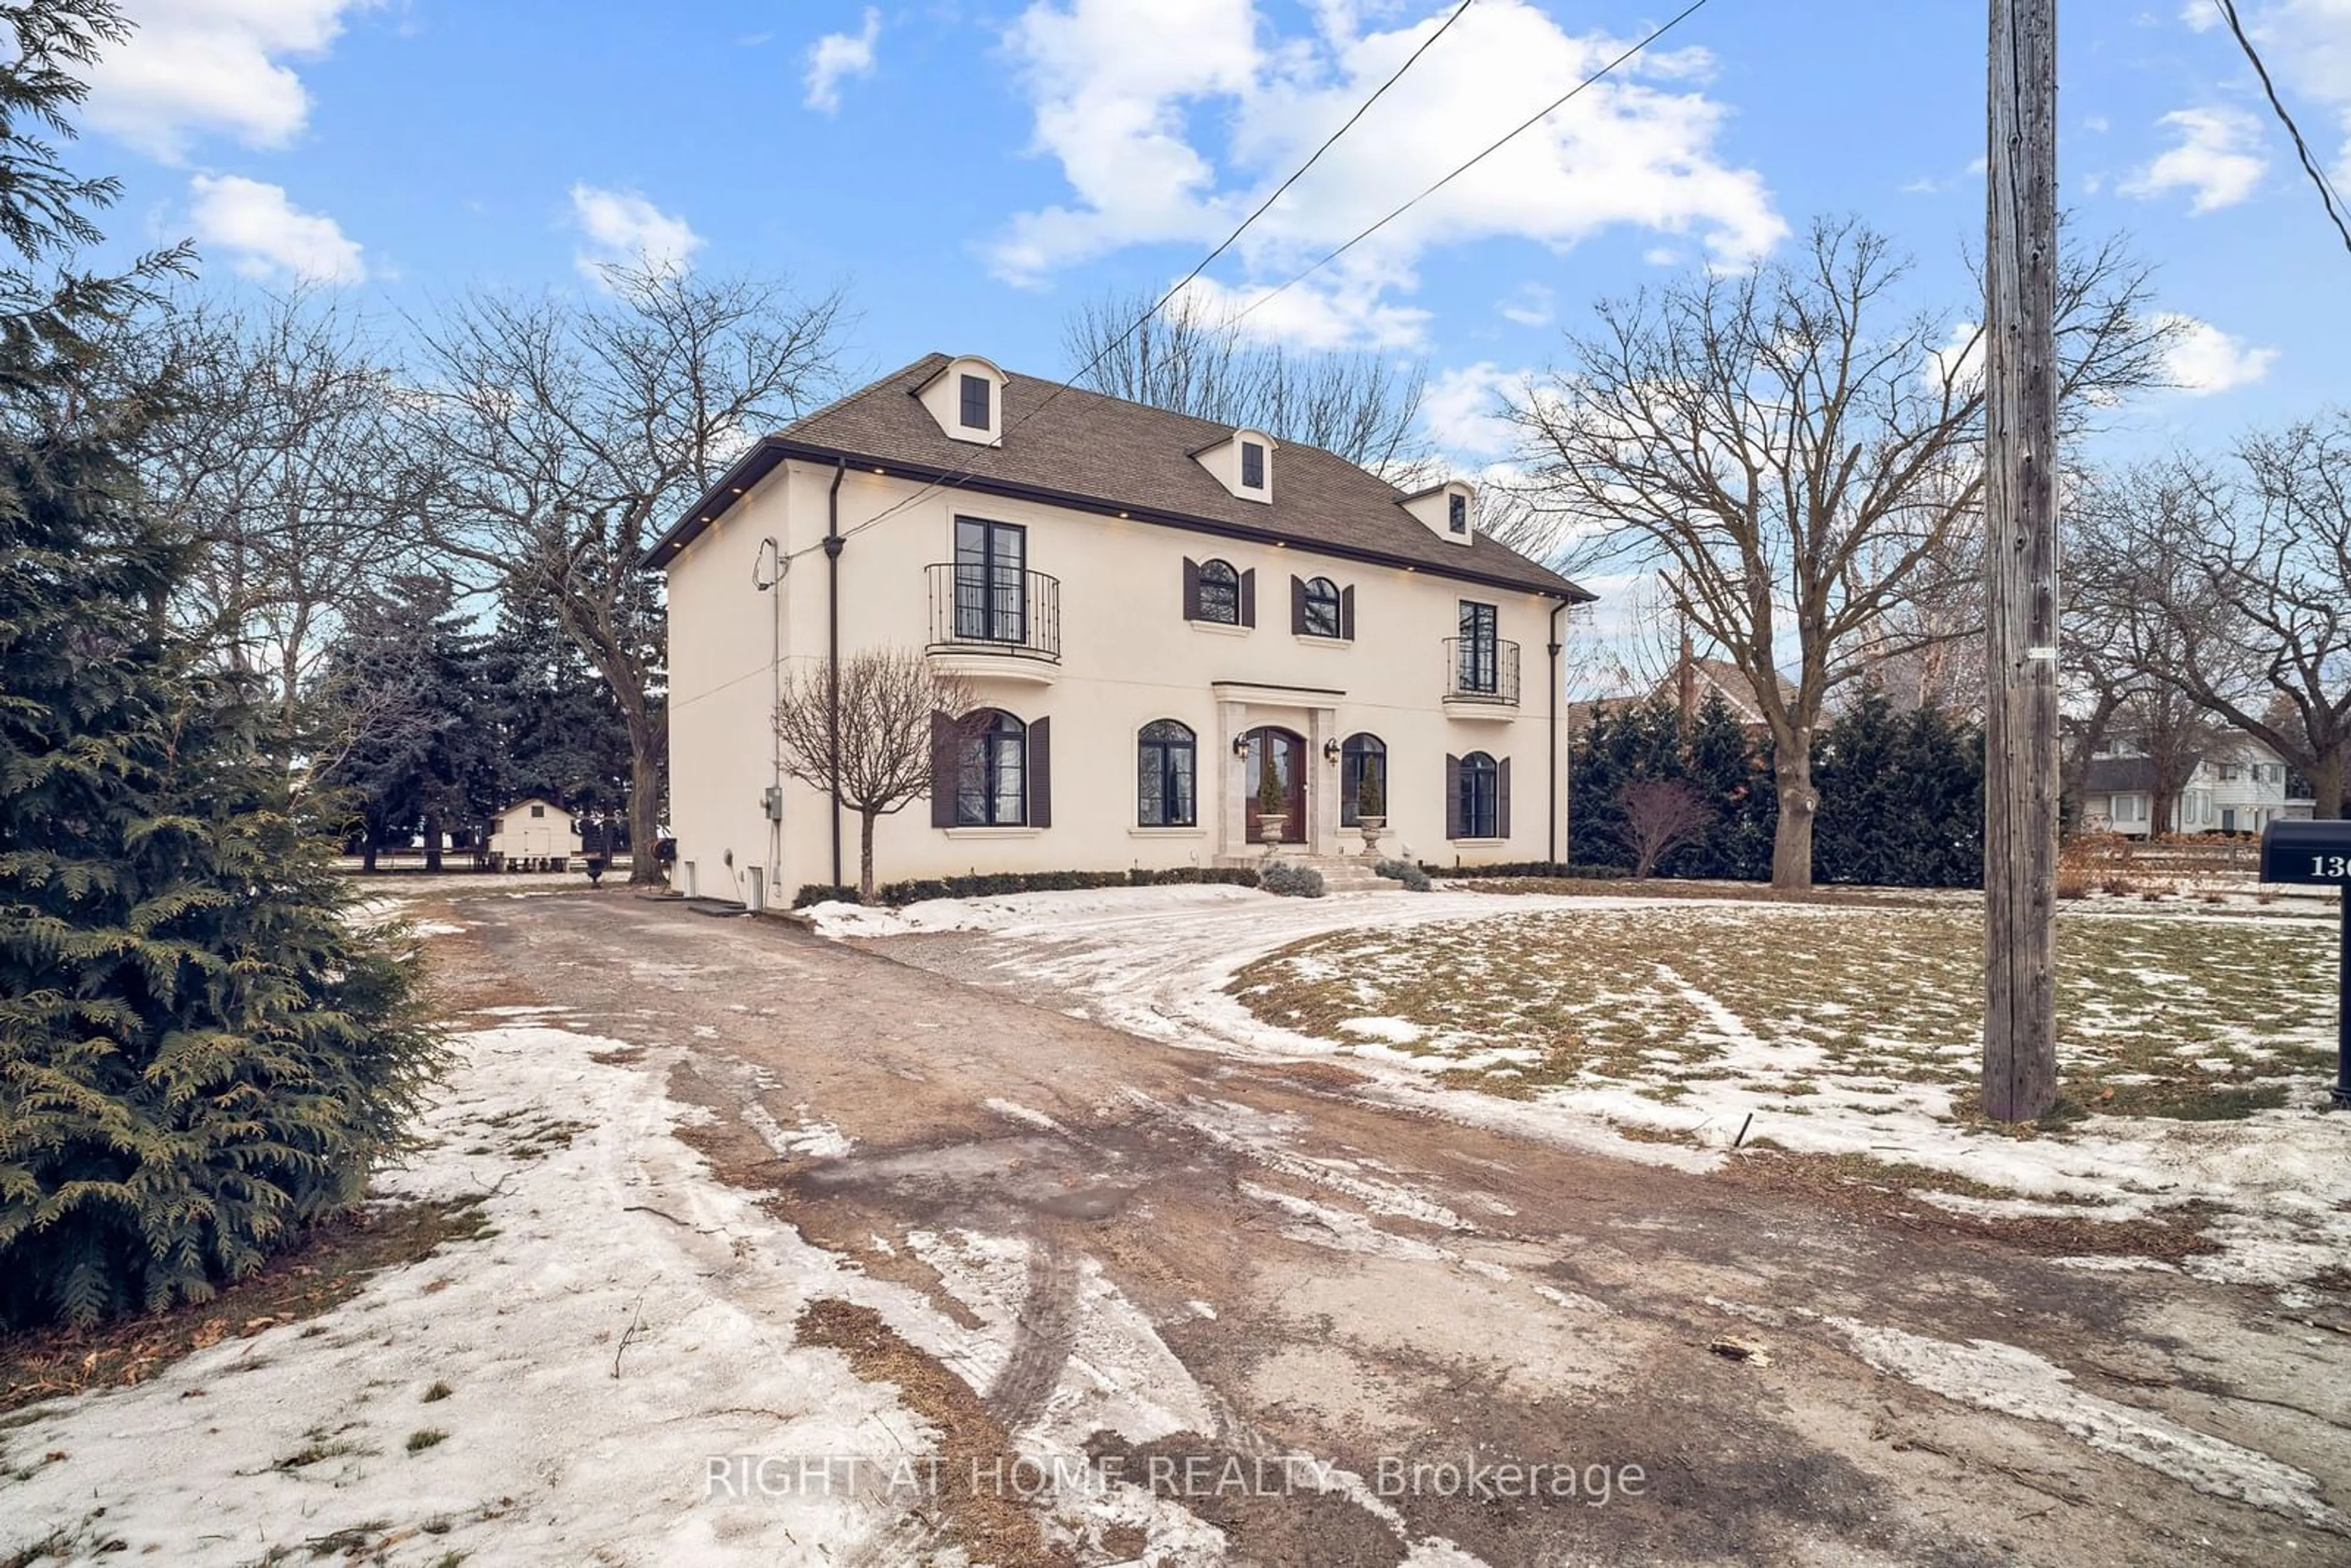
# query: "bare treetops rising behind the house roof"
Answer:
x=1200 y=363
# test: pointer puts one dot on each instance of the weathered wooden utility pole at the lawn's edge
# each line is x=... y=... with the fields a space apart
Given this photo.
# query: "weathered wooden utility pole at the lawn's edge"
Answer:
x=2021 y=565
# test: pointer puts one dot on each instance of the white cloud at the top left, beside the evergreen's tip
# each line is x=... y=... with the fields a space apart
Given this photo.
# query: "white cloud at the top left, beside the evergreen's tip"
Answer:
x=213 y=67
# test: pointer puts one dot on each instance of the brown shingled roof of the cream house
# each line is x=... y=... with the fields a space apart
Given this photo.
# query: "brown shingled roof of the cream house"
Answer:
x=1113 y=455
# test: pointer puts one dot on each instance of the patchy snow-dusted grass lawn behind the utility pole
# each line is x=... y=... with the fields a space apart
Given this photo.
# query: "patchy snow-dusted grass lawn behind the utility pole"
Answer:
x=1875 y=1010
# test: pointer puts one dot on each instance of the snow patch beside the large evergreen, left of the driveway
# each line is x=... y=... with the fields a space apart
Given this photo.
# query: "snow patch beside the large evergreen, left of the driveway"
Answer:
x=612 y=1252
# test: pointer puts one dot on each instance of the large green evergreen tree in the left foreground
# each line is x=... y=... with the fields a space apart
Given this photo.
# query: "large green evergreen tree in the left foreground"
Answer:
x=199 y=1054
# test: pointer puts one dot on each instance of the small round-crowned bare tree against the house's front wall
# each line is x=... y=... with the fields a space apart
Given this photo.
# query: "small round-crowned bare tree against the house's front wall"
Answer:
x=885 y=753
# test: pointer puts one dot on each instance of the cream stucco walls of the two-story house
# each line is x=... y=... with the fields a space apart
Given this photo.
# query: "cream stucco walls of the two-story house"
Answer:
x=1127 y=657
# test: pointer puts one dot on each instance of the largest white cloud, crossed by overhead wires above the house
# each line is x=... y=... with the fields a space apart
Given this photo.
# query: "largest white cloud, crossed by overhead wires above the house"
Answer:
x=1125 y=114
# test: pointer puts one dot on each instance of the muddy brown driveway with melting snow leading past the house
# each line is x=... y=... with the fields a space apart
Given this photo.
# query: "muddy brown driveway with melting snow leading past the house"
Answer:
x=1219 y=1264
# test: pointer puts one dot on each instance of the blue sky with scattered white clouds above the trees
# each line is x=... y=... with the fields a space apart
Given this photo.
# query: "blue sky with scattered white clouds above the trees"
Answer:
x=970 y=170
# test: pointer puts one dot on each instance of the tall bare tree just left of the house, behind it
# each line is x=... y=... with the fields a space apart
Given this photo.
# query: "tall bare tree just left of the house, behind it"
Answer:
x=570 y=434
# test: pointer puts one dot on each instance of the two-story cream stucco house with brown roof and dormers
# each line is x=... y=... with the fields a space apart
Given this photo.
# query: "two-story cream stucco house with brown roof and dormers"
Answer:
x=1153 y=612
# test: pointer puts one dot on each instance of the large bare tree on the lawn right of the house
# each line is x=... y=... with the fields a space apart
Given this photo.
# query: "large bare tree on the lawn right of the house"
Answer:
x=1797 y=453
